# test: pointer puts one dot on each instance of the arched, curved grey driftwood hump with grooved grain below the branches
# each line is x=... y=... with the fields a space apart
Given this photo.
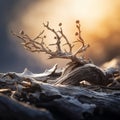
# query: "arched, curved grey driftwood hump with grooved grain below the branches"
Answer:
x=88 y=72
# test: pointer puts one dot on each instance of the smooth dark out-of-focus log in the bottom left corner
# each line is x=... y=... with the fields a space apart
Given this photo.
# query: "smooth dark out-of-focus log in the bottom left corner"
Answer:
x=13 y=110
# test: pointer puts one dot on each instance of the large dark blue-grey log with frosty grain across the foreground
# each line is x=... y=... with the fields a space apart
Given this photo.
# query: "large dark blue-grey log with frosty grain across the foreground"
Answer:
x=68 y=103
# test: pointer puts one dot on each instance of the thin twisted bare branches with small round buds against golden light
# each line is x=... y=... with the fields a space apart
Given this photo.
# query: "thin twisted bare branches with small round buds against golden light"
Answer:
x=33 y=45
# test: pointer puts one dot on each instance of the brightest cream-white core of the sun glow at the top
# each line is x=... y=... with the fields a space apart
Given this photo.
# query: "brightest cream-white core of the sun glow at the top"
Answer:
x=90 y=12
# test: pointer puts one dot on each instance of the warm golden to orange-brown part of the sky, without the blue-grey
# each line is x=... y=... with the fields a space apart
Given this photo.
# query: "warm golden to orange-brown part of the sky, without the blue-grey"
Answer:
x=100 y=23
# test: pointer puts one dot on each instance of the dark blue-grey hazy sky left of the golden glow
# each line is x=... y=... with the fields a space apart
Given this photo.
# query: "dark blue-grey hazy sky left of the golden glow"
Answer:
x=11 y=59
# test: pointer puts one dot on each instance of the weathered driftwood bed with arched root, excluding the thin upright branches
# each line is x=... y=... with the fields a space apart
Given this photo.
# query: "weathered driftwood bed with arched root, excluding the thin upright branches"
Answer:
x=30 y=96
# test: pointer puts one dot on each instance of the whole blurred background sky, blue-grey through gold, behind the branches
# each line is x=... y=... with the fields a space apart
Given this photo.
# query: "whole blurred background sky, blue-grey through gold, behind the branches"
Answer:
x=100 y=26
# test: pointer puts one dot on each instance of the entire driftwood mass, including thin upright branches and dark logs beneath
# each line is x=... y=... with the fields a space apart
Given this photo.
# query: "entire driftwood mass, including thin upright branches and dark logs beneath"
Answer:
x=60 y=93
